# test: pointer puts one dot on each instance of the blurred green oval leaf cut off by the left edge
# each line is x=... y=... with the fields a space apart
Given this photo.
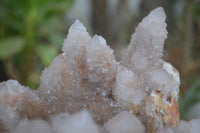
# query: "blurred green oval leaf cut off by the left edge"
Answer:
x=11 y=46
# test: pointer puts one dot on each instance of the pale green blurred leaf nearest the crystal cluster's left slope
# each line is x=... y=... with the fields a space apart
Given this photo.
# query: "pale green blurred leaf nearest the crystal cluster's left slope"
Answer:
x=46 y=53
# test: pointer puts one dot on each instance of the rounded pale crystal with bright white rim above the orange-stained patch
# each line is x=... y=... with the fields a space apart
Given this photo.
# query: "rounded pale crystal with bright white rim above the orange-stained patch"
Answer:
x=166 y=80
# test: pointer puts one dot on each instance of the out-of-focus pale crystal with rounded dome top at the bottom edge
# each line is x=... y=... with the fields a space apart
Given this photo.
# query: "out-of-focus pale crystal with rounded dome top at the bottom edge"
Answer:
x=124 y=122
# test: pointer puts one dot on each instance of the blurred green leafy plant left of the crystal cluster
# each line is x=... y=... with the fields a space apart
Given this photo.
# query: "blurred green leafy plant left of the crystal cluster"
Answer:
x=30 y=31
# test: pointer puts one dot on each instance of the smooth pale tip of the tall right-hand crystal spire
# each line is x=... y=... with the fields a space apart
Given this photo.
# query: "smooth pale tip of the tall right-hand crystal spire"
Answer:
x=158 y=14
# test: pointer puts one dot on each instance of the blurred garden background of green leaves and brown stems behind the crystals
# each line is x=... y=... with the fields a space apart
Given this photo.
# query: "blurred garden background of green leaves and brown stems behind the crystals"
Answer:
x=32 y=33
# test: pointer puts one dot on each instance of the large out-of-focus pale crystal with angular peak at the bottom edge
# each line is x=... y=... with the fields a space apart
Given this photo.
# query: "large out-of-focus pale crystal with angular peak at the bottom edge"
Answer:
x=77 y=123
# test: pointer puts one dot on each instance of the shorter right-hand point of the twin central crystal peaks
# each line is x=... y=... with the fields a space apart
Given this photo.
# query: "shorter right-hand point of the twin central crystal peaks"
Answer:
x=101 y=63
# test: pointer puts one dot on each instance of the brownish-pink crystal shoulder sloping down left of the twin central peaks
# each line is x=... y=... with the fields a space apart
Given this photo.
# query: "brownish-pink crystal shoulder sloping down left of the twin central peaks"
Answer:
x=53 y=79
